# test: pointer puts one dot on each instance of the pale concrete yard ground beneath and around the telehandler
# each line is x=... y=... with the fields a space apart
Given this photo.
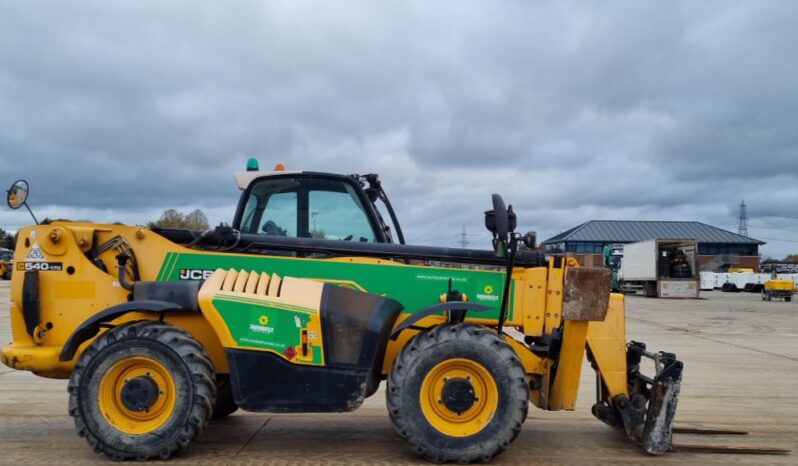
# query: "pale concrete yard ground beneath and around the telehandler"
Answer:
x=741 y=371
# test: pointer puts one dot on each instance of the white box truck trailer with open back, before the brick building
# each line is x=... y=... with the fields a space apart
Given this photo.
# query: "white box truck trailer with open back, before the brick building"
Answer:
x=665 y=268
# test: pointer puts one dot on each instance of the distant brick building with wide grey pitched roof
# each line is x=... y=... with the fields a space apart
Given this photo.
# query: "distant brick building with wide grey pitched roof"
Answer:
x=717 y=248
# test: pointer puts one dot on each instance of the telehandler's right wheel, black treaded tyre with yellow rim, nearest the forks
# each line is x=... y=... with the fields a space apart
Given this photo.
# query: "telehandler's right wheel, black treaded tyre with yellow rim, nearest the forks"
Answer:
x=458 y=393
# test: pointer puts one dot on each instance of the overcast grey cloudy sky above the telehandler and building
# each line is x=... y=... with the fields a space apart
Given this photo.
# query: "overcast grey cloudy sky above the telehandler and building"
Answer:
x=572 y=111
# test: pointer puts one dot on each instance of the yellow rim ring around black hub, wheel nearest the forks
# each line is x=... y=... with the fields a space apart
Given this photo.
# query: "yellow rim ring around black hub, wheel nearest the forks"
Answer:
x=473 y=419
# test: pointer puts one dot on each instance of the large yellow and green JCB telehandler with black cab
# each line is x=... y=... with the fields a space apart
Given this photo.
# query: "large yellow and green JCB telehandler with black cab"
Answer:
x=305 y=304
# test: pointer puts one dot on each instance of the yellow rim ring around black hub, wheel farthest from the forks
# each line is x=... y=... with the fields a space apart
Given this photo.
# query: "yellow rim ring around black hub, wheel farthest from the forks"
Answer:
x=120 y=416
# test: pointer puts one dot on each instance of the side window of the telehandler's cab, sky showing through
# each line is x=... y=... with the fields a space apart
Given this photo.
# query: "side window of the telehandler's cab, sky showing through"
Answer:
x=306 y=207
